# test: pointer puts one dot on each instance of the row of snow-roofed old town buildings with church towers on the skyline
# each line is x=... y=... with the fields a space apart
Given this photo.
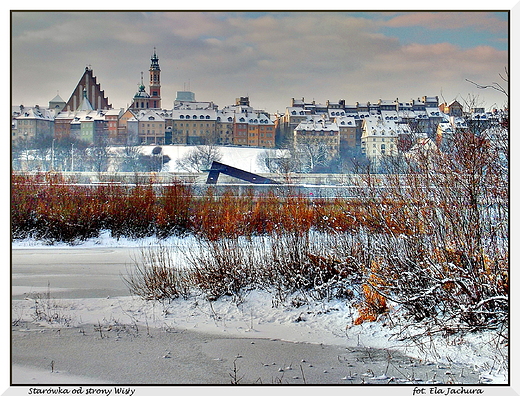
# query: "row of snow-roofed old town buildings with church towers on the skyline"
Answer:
x=372 y=128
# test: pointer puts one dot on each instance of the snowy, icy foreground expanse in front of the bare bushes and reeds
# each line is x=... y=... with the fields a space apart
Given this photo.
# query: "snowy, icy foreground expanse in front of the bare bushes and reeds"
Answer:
x=57 y=291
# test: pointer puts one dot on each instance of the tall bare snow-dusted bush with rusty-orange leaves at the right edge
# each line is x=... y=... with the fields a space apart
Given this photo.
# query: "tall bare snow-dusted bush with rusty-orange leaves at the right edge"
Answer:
x=441 y=234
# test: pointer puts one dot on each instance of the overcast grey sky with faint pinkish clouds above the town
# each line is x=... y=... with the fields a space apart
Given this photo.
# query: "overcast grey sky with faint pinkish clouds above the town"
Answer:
x=269 y=56
